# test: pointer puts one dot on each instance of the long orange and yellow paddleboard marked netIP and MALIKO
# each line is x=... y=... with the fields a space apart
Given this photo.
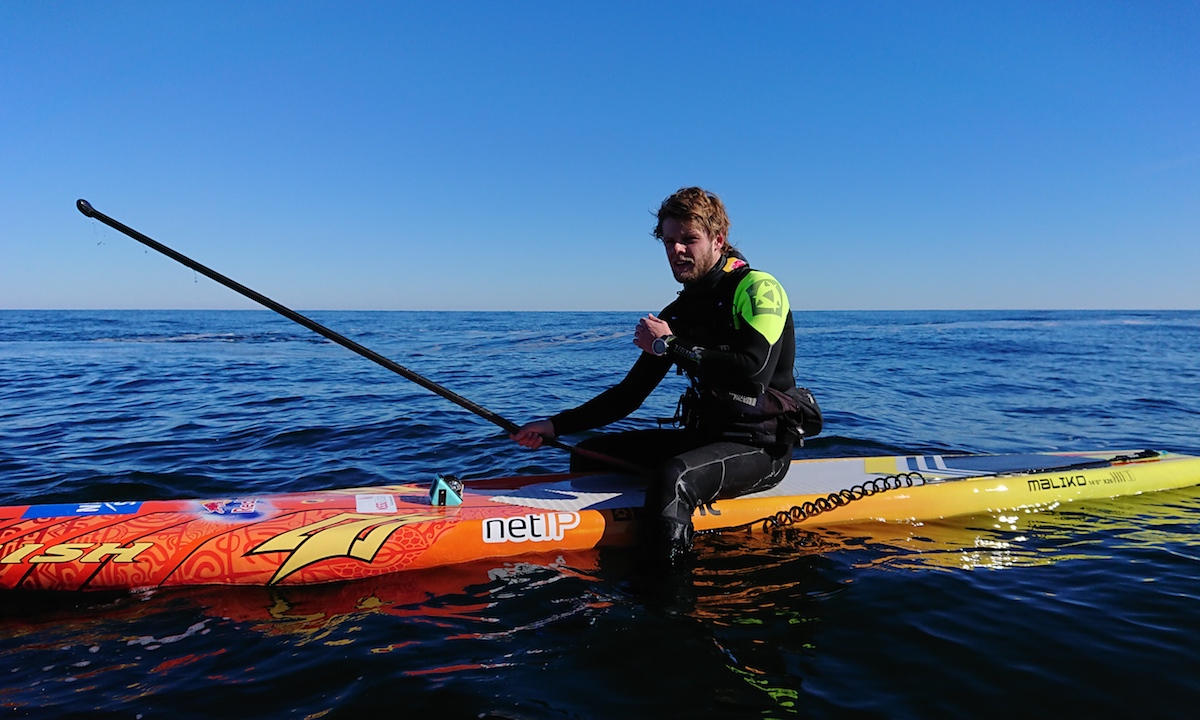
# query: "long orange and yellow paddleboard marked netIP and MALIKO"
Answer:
x=356 y=533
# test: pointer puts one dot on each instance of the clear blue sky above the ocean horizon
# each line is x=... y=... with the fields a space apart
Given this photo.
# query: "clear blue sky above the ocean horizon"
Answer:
x=509 y=155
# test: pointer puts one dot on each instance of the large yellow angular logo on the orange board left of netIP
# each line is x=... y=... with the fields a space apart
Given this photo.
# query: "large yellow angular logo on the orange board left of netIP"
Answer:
x=345 y=536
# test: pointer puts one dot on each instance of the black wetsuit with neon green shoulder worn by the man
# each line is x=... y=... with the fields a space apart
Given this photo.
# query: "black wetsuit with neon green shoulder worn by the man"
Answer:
x=735 y=339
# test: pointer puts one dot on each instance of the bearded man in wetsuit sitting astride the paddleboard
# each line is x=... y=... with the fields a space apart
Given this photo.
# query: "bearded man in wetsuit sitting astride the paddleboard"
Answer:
x=731 y=332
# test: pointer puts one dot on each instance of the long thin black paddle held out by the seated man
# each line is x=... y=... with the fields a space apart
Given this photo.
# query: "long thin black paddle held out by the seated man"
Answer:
x=512 y=428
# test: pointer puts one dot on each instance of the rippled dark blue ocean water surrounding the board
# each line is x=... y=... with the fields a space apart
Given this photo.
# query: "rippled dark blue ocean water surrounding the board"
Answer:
x=1091 y=609
